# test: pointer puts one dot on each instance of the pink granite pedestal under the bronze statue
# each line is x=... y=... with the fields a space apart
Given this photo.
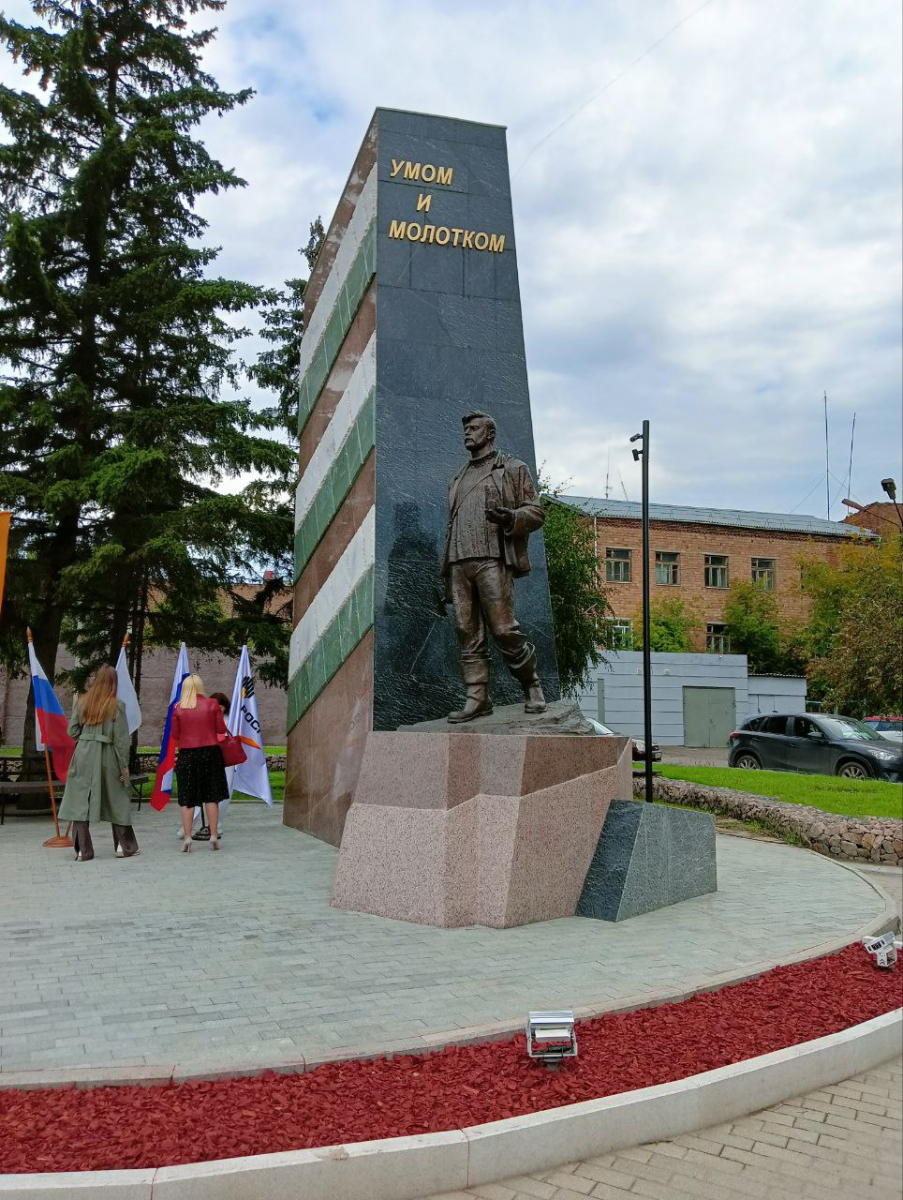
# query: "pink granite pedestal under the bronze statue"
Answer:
x=477 y=830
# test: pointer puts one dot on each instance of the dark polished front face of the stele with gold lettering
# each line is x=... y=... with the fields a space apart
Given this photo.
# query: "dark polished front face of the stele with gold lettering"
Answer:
x=450 y=340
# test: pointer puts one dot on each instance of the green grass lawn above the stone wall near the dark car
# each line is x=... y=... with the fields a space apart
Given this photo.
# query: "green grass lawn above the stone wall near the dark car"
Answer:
x=847 y=797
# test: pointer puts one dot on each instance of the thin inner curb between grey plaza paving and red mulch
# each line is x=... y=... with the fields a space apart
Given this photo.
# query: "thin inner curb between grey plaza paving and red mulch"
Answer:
x=256 y=1065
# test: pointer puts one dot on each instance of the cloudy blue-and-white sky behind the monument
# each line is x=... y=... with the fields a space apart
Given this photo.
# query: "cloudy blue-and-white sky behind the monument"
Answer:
x=709 y=237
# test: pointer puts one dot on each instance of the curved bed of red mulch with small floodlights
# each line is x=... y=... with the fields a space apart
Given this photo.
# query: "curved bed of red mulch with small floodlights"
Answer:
x=106 y=1129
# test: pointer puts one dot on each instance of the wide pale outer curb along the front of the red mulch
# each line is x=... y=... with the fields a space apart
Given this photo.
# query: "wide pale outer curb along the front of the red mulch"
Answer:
x=408 y=1168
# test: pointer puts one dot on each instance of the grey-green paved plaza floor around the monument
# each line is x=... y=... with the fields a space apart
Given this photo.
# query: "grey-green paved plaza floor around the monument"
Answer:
x=175 y=958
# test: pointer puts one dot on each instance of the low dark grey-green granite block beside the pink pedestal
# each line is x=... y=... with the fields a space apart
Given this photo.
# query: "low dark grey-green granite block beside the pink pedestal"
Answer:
x=649 y=857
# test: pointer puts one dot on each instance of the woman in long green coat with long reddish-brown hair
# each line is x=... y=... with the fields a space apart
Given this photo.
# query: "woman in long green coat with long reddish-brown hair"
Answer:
x=98 y=783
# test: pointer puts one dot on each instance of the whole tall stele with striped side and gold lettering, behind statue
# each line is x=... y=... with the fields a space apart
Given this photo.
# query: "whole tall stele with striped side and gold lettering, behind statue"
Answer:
x=414 y=320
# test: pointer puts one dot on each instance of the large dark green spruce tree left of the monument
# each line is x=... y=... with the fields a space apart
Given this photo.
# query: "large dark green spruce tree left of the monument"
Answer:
x=121 y=406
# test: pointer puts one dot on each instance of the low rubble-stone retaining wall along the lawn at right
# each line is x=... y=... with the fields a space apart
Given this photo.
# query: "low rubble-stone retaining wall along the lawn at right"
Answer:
x=853 y=839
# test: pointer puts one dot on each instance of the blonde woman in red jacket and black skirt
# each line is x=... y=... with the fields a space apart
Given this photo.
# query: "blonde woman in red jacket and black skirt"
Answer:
x=200 y=771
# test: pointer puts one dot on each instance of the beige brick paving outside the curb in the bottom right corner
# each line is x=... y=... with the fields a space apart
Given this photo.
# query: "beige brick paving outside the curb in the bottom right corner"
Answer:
x=842 y=1143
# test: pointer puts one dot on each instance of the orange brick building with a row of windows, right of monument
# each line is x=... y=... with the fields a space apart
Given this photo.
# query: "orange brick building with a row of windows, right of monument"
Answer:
x=697 y=554
